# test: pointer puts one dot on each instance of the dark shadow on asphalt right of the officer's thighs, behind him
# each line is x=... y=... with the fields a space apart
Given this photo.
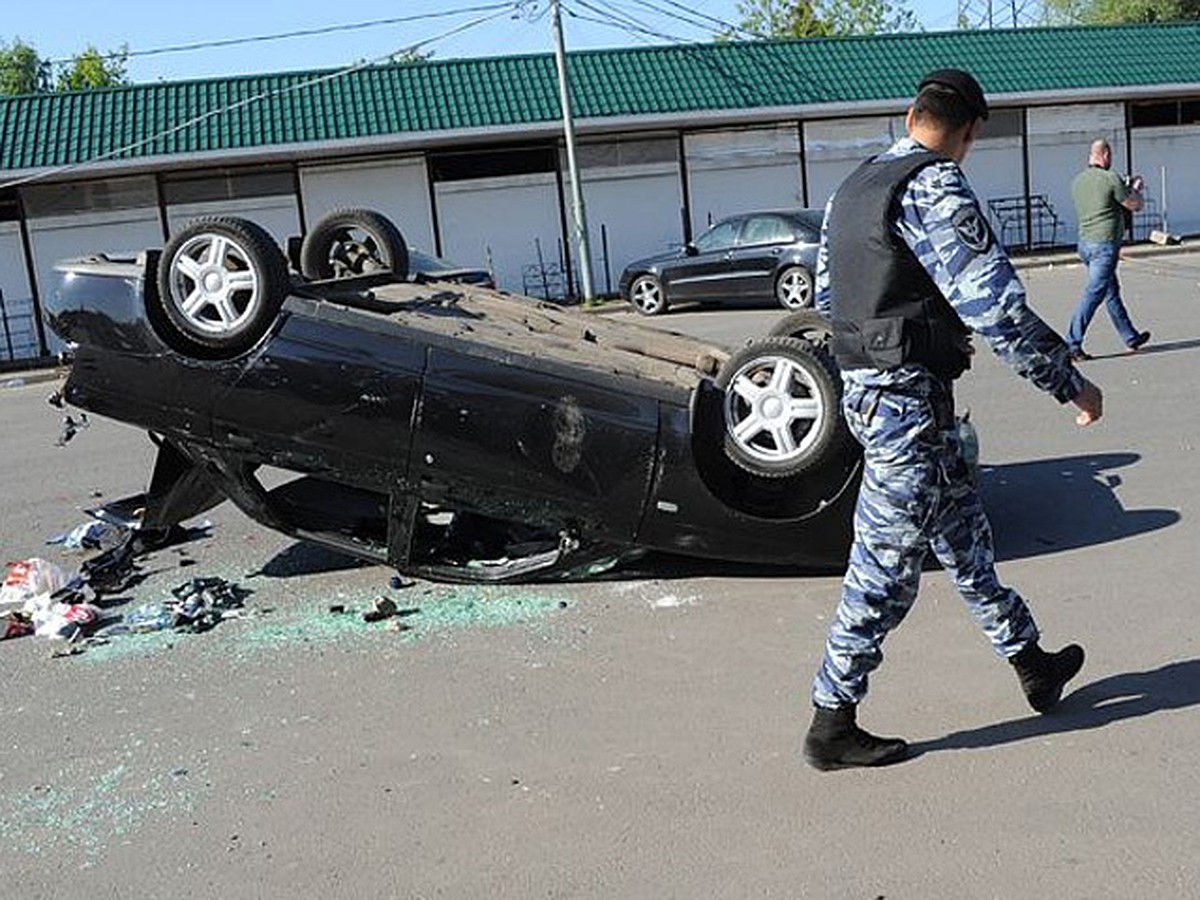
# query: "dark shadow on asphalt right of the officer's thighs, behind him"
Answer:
x=1049 y=506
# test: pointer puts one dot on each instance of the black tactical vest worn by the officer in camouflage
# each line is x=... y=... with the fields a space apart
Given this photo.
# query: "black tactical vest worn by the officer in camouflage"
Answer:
x=886 y=309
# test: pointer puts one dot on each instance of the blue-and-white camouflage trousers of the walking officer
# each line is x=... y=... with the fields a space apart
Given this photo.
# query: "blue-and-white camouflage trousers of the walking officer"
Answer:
x=916 y=496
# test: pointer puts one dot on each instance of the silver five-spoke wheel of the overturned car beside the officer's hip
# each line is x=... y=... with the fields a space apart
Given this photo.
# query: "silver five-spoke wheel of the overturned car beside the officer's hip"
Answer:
x=781 y=407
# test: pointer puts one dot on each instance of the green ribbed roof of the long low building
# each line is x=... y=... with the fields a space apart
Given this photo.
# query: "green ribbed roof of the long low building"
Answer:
x=272 y=111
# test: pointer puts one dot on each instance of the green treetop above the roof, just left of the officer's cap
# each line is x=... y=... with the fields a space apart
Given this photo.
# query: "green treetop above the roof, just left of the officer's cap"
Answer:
x=825 y=19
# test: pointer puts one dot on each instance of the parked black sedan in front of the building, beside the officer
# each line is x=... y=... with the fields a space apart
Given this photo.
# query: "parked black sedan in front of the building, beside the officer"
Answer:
x=754 y=256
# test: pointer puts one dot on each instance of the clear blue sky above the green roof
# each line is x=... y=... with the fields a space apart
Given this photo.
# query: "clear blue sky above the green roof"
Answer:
x=447 y=29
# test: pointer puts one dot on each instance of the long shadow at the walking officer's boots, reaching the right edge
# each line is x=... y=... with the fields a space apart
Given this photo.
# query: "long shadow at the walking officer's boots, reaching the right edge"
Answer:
x=1115 y=699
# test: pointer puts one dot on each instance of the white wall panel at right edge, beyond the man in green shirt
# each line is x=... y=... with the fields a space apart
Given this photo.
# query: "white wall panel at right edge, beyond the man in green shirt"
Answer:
x=1165 y=157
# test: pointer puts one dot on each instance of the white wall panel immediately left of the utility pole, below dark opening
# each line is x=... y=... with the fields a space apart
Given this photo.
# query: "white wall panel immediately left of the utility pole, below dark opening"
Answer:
x=500 y=224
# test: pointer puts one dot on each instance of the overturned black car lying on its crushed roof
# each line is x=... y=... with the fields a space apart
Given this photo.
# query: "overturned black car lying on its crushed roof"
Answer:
x=449 y=430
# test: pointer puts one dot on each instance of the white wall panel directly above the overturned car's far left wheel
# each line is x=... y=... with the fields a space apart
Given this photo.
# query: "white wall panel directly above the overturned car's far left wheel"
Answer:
x=399 y=189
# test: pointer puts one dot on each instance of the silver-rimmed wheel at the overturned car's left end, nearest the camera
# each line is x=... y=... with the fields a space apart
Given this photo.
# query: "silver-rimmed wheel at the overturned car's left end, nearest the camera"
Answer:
x=221 y=284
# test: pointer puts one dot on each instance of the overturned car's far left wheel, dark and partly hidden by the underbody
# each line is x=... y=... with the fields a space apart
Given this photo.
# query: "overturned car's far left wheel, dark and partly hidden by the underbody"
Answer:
x=353 y=242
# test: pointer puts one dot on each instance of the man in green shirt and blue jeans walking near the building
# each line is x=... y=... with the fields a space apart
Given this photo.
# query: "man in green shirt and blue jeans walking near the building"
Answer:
x=1102 y=199
